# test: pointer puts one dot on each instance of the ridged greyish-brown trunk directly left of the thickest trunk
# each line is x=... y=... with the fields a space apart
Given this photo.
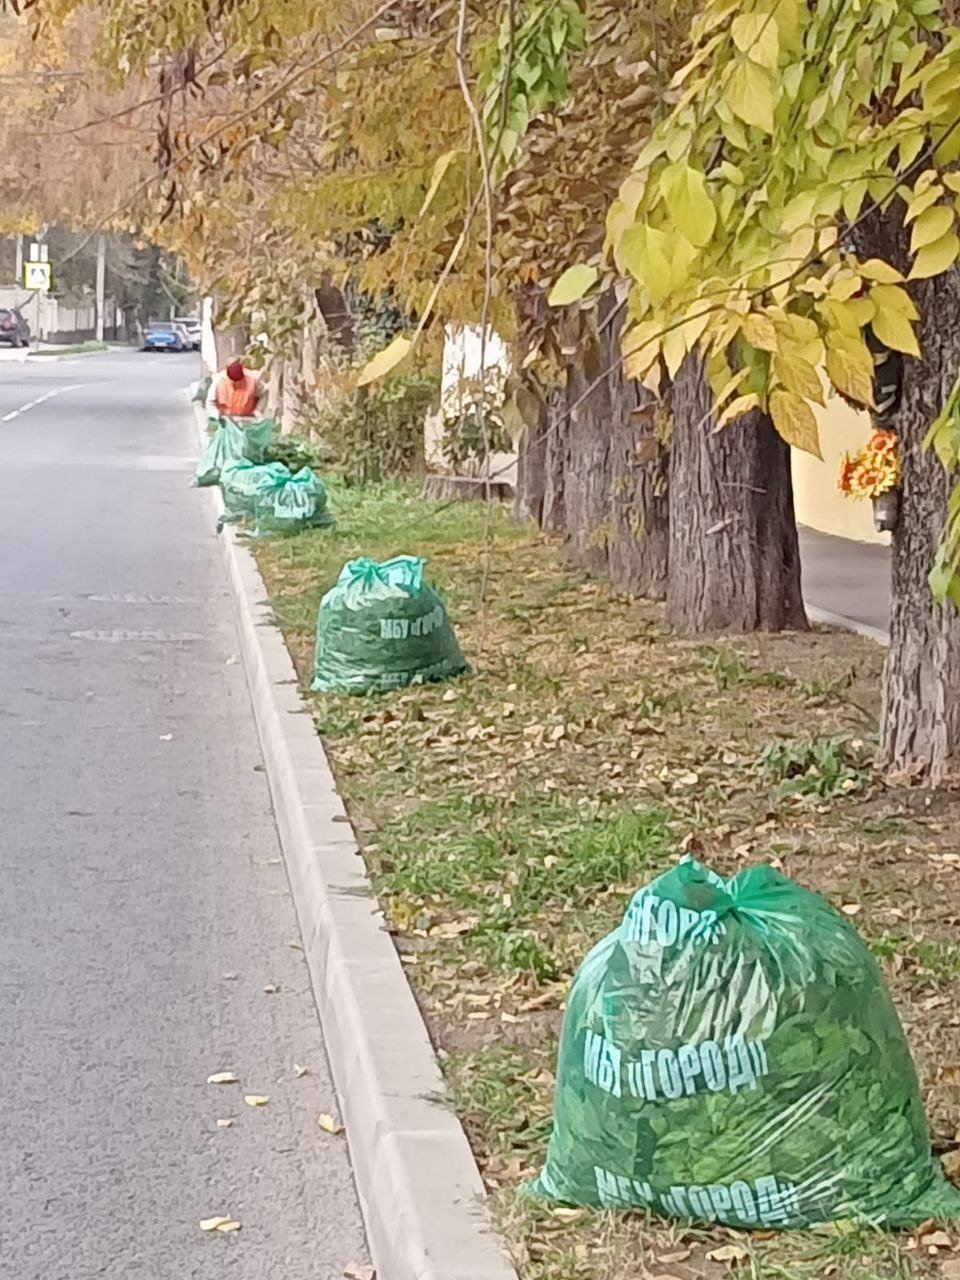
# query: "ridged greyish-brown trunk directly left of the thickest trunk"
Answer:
x=615 y=481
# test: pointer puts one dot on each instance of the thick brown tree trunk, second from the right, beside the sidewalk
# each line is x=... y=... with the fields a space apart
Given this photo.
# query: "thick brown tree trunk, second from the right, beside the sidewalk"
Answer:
x=734 y=554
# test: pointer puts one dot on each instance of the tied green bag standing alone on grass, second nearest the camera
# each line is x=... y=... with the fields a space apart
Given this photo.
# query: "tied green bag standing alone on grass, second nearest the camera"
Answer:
x=382 y=628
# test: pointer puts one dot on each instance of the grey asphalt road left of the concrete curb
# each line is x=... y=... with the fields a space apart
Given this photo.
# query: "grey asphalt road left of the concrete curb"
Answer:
x=148 y=939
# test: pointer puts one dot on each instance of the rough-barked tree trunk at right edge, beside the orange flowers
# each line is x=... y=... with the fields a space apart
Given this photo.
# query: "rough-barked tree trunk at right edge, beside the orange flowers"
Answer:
x=921 y=720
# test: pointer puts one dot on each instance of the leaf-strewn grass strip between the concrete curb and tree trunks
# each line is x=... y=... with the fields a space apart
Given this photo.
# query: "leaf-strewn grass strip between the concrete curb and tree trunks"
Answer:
x=516 y=811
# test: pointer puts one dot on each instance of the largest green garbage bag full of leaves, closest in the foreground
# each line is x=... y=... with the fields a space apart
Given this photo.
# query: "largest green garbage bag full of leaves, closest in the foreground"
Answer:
x=732 y=1054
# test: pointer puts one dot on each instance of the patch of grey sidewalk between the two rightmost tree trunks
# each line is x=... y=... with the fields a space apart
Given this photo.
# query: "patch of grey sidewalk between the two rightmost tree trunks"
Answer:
x=847 y=583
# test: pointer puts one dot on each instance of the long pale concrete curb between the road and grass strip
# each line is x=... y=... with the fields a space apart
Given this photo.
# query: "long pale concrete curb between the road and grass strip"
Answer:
x=419 y=1186
